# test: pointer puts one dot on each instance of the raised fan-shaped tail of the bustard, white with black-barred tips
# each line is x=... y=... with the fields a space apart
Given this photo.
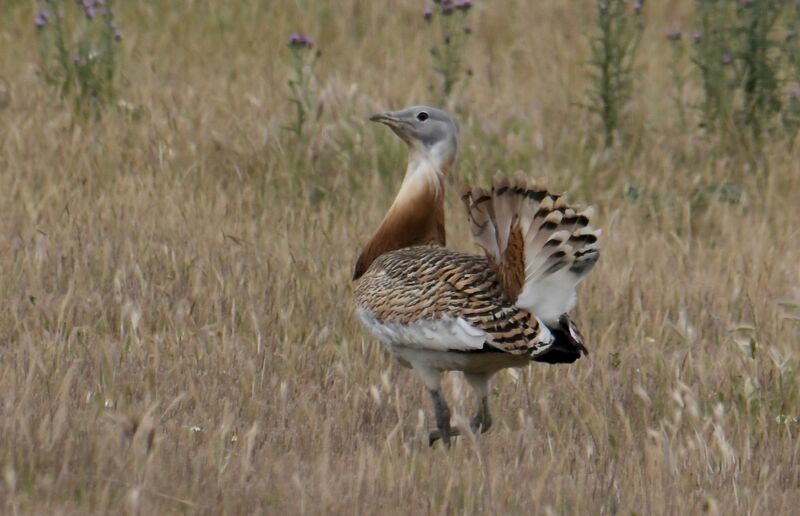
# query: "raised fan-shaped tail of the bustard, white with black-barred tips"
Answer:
x=539 y=246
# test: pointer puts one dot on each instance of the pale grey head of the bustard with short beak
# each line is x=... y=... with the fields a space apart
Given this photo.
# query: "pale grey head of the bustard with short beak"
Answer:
x=429 y=133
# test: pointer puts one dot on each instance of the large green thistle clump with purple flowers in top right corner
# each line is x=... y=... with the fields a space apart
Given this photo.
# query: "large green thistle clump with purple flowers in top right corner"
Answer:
x=745 y=56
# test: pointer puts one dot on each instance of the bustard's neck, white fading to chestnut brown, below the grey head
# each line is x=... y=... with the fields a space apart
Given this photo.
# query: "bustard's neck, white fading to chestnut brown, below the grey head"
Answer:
x=416 y=216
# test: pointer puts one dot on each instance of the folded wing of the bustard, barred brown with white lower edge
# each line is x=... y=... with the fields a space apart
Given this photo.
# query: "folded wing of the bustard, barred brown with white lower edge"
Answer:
x=413 y=288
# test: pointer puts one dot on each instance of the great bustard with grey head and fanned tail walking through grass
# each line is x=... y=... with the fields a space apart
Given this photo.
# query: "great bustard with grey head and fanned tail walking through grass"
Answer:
x=438 y=310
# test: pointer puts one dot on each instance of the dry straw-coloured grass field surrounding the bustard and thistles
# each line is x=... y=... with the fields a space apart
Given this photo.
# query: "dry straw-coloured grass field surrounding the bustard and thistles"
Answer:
x=177 y=328
